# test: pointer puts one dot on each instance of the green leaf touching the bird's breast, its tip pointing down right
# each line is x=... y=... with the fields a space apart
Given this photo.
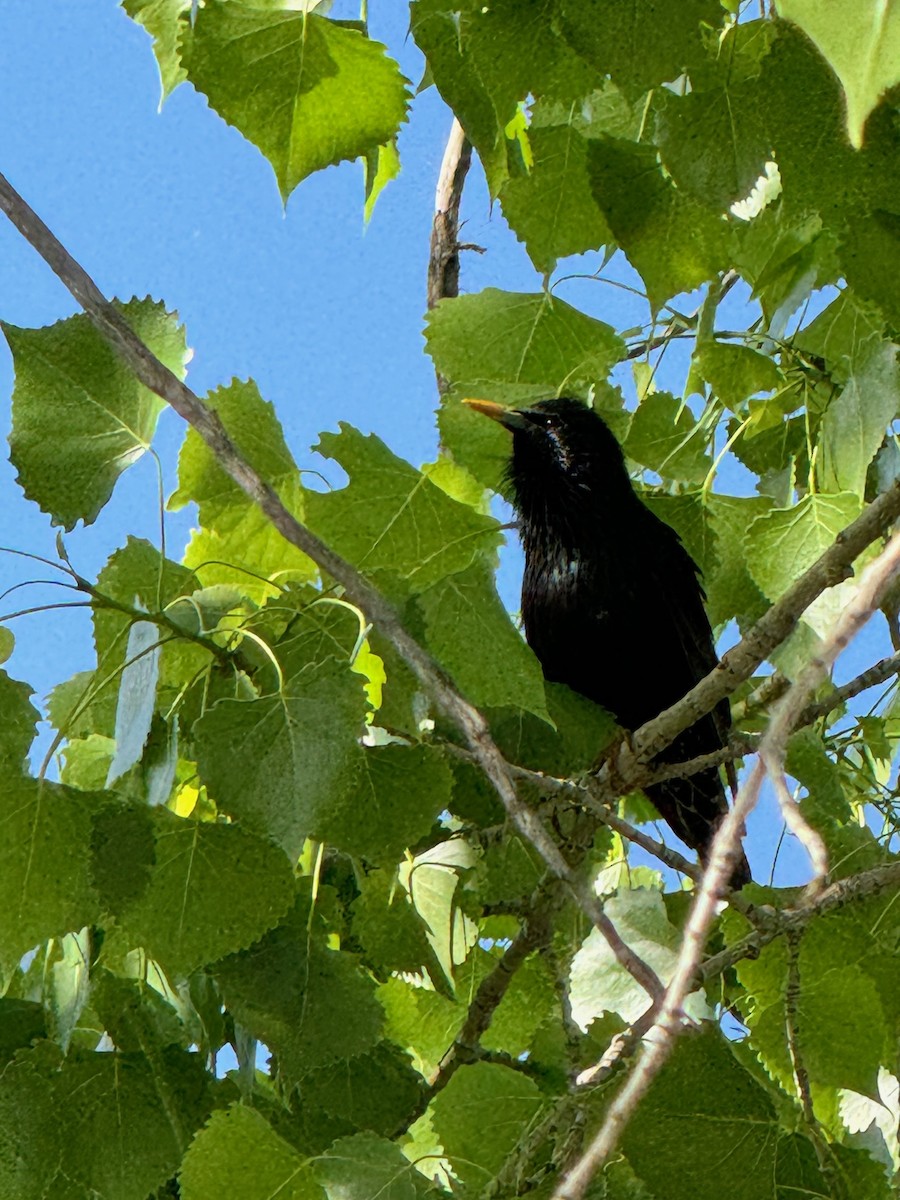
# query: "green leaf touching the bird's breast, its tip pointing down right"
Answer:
x=471 y=634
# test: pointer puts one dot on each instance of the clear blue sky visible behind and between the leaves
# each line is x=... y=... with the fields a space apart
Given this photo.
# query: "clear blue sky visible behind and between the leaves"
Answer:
x=325 y=315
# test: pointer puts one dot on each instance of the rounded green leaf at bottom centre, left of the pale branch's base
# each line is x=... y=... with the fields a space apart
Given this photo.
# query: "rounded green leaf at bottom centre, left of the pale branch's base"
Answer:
x=481 y=1118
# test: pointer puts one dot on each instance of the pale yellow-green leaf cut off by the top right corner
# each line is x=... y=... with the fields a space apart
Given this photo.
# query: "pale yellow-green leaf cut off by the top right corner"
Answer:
x=861 y=41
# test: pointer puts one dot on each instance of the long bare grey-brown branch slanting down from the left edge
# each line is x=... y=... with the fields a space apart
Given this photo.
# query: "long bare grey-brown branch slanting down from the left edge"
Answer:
x=158 y=377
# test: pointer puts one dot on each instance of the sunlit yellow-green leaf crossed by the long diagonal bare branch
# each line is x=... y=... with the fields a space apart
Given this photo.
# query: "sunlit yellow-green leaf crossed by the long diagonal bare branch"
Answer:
x=236 y=543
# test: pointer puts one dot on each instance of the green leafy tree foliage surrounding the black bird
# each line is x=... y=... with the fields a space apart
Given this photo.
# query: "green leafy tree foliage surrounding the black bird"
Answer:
x=261 y=829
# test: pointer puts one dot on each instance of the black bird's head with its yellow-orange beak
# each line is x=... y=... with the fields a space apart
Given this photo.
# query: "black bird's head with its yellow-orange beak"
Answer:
x=560 y=448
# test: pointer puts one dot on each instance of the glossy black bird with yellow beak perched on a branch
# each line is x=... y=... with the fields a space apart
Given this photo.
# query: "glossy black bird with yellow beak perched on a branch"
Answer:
x=611 y=601
